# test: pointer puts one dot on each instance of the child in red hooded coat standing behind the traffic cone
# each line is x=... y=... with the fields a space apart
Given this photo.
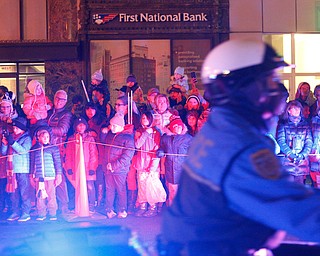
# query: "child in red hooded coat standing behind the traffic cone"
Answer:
x=90 y=150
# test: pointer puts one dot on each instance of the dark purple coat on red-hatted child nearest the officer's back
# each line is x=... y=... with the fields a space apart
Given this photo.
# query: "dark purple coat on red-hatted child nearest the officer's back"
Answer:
x=174 y=144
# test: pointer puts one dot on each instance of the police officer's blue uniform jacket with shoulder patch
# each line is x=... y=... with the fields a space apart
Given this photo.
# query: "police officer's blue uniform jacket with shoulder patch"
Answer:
x=233 y=195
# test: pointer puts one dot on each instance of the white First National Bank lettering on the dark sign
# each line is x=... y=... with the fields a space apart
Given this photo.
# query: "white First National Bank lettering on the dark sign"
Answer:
x=146 y=17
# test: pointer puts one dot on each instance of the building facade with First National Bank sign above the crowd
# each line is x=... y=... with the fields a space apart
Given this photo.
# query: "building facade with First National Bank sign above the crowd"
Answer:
x=62 y=42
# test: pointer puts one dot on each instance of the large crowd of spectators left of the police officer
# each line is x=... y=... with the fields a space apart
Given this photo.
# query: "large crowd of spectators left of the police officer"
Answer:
x=126 y=147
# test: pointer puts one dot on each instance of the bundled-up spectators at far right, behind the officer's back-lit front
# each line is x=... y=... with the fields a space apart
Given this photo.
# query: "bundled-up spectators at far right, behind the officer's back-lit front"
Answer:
x=298 y=136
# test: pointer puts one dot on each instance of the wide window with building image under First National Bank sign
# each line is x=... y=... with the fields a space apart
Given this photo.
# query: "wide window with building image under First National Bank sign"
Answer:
x=152 y=61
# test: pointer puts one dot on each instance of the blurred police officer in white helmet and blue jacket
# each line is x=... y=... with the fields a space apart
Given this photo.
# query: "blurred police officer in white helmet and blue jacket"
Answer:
x=234 y=198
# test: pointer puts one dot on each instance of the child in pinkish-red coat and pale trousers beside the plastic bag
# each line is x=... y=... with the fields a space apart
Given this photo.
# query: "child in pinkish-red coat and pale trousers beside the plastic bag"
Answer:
x=147 y=140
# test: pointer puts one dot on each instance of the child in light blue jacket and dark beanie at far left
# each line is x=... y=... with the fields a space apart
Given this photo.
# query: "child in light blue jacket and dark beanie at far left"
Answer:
x=17 y=146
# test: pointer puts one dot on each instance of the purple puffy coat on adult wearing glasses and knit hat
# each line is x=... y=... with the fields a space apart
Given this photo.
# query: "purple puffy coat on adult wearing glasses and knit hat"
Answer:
x=60 y=121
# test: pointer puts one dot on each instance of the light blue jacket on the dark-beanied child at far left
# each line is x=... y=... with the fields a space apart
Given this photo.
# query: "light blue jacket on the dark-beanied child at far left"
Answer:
x=21 y=155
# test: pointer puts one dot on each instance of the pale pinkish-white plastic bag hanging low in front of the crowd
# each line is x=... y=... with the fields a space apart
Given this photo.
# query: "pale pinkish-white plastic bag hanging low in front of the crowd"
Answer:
x=154 y=190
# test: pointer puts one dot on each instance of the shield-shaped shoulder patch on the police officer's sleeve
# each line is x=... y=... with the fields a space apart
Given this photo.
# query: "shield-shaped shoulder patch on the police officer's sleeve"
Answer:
x=266 y=164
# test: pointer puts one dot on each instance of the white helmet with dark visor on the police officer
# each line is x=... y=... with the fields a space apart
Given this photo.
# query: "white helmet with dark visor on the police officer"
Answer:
x=239 y=57
